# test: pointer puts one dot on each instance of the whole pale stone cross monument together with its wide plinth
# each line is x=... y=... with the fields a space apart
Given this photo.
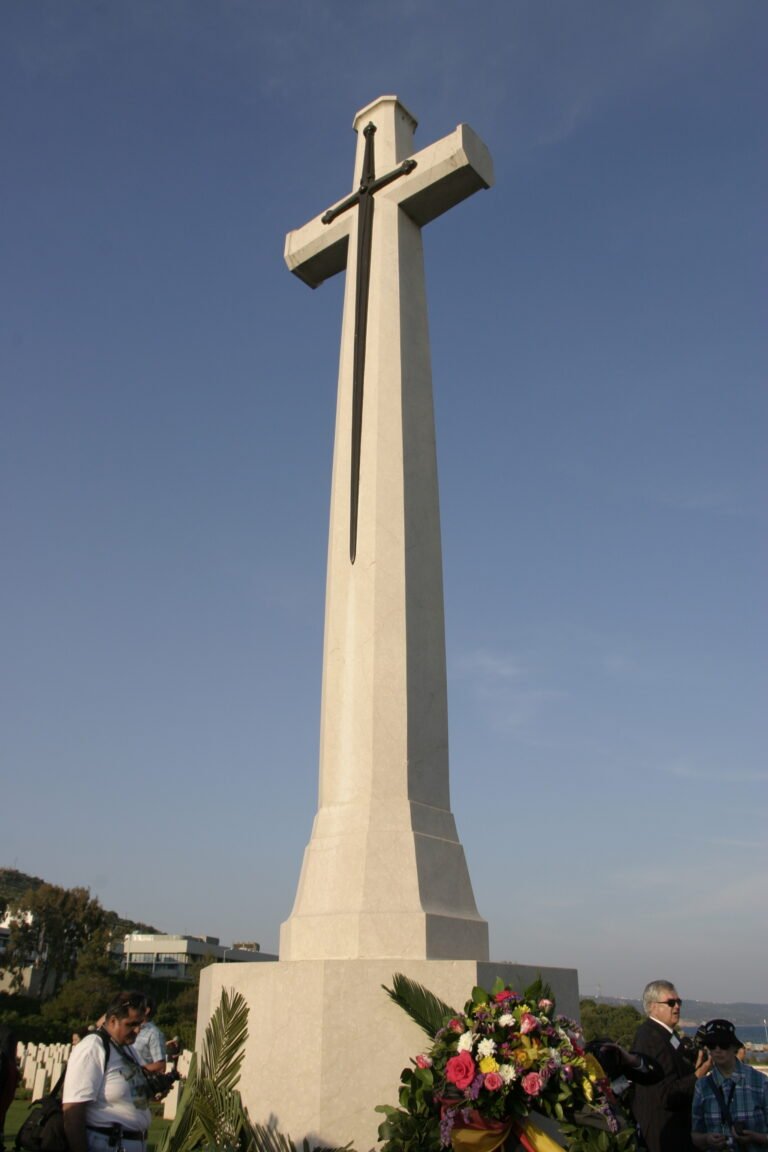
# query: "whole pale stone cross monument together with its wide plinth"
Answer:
x=385 y=886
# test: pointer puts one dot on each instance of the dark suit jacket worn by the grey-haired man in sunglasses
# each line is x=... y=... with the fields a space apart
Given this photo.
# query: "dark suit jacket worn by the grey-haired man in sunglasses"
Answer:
x=664 y=1110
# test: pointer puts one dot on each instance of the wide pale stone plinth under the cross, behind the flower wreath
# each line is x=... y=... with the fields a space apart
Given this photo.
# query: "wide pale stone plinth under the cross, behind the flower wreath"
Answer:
x=326 y=1044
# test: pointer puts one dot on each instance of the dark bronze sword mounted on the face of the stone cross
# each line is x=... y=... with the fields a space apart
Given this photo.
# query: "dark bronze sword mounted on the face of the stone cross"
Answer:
x=364 y=200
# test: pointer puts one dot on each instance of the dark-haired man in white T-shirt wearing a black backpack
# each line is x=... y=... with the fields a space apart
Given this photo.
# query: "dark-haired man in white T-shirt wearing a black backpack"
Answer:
x=107 y=1095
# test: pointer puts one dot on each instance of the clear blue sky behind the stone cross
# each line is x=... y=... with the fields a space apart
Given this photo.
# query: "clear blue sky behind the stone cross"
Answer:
x=599 y=358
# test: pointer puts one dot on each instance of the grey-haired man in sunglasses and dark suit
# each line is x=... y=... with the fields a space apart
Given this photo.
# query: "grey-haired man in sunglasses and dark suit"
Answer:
x=664 y=1110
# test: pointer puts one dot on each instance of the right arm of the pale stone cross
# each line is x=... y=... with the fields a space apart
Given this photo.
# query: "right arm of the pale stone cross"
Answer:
x=446 y=173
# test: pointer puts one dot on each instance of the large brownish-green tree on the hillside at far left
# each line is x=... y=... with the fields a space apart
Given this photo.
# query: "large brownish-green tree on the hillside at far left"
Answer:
x=50 y=927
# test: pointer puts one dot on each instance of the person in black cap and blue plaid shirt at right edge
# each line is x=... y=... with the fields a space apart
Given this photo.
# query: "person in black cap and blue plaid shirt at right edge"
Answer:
x=731 y=1105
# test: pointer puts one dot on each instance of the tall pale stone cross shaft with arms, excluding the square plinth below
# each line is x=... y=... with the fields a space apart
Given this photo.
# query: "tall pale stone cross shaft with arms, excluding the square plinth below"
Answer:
x=385 y=874
